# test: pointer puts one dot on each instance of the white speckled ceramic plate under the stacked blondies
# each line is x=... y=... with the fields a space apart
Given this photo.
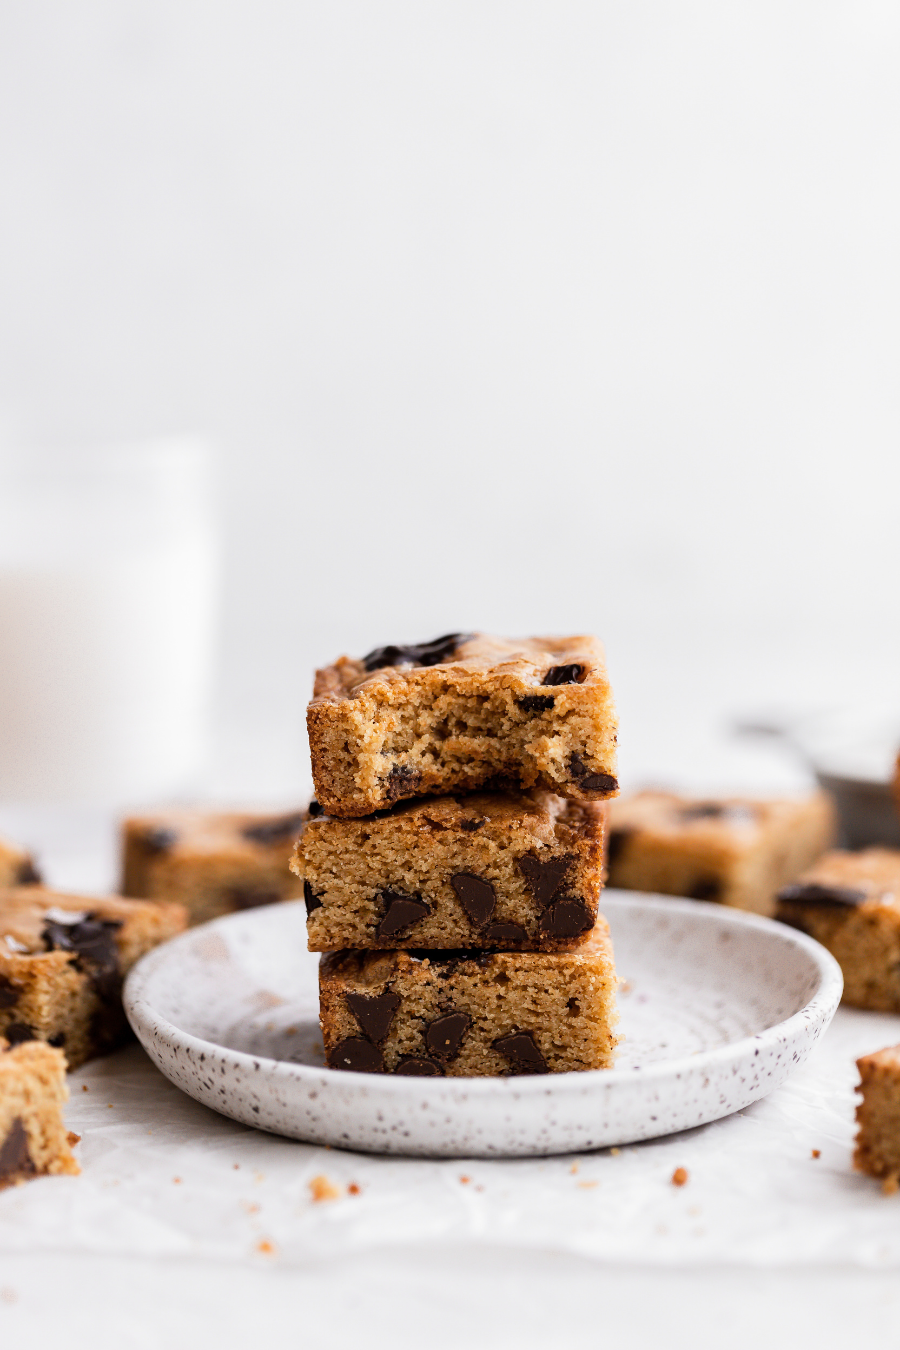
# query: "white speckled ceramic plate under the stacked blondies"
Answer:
x=719 y=1009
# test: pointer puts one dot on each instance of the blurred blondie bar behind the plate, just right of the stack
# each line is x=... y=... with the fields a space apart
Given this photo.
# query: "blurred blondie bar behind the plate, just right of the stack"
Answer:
x=736 y=851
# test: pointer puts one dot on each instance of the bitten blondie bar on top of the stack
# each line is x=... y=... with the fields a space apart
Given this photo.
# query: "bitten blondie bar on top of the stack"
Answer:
x=461 y=713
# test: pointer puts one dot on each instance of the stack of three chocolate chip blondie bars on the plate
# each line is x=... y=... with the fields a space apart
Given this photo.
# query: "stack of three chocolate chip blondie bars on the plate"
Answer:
x=453 y=861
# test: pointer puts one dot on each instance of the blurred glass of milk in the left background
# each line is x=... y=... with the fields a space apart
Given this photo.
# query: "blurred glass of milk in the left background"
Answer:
x=109 y=587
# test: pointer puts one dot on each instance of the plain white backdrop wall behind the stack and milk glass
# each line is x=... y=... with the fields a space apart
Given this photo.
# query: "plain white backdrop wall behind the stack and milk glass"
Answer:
x=505 y=315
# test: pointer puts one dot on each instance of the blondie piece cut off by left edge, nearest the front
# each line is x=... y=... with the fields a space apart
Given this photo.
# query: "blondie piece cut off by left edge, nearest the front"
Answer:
x=33 y=1136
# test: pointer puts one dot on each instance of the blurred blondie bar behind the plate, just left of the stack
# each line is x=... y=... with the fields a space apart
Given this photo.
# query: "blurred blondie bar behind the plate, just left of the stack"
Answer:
x=211 y=862
